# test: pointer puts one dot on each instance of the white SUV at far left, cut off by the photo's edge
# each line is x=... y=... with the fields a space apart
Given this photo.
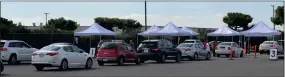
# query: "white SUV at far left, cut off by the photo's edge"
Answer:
x=15 y=51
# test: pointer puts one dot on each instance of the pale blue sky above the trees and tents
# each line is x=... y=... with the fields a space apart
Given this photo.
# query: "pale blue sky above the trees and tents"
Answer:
x=190 y=14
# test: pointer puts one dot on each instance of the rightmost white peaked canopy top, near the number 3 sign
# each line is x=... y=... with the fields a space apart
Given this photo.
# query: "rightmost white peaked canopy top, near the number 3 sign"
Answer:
x=260 y=29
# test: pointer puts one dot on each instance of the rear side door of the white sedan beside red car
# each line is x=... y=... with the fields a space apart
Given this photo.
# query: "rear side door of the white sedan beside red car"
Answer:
x=70 y=55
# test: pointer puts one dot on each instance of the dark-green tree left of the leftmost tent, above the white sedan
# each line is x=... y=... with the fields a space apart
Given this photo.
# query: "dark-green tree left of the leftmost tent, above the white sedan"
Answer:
x=61 y=24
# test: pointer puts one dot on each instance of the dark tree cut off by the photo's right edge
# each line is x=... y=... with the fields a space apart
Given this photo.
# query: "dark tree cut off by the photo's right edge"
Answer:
x=279 y=16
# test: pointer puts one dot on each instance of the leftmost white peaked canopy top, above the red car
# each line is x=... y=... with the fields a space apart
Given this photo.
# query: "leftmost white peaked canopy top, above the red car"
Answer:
x=94 y=29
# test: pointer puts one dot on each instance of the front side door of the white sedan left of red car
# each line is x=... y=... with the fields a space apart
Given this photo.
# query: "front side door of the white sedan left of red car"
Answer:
x=79 y=54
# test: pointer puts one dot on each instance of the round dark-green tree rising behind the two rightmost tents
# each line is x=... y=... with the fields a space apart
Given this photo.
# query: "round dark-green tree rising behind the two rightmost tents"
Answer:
x=237 y=20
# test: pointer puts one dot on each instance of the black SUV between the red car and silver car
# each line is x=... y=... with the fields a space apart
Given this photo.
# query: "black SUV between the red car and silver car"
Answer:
x=158 y=50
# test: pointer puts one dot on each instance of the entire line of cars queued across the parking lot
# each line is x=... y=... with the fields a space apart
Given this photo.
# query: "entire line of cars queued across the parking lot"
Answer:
x=66 y=55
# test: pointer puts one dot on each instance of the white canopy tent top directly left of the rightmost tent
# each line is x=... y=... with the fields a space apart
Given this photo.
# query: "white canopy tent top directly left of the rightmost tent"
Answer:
x=224 y=31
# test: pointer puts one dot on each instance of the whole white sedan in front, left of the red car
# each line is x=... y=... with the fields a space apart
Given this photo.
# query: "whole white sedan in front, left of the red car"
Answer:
x=62 y=56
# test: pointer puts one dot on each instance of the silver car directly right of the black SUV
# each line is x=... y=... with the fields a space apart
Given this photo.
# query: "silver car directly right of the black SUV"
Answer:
x=194 y=51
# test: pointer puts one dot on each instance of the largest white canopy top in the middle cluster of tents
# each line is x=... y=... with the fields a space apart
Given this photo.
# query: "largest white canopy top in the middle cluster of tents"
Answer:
x=170 y=30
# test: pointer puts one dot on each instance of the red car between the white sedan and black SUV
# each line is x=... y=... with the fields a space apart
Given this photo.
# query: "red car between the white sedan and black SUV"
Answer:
x=117 y=52
